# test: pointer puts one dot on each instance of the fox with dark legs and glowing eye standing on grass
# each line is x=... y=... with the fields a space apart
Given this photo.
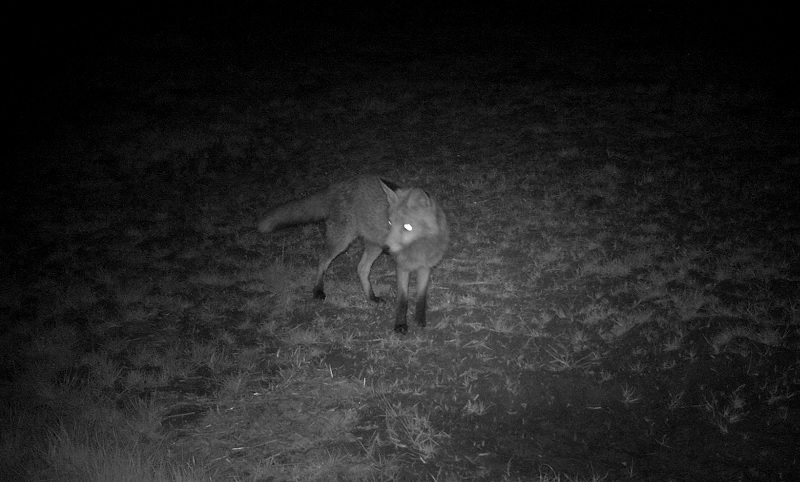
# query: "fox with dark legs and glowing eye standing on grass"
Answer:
x=406 y=223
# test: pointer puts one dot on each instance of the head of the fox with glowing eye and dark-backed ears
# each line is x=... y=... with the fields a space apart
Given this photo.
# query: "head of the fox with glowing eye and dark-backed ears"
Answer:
x=412 y=216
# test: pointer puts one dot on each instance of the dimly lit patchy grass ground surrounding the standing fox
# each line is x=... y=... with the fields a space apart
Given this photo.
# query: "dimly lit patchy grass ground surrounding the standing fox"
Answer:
x=620 y=300
